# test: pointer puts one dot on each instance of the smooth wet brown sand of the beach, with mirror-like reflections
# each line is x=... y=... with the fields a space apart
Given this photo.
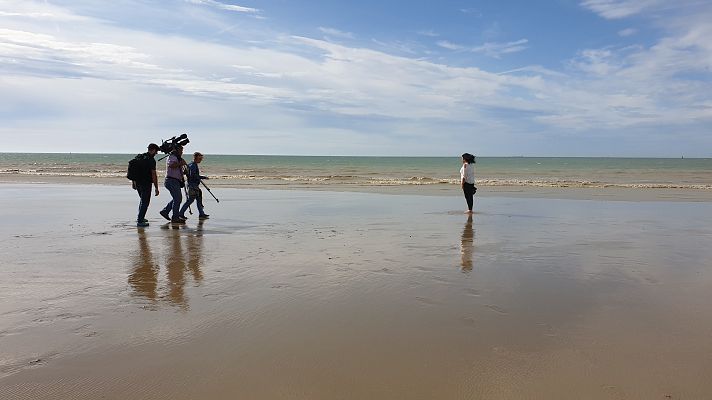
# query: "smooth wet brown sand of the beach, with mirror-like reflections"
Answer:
x=337 y=295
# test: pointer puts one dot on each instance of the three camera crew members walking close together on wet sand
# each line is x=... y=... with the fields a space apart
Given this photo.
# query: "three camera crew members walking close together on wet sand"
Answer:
x=180 y=176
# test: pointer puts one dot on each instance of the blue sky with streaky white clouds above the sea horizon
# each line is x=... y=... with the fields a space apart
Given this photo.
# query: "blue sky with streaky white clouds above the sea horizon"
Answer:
x=610 y=78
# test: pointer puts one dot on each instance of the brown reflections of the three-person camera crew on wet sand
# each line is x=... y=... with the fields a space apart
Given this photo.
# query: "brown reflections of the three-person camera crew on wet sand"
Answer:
x=144 y=276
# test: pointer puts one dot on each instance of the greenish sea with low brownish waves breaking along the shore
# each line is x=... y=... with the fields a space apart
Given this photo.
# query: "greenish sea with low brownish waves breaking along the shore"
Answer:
x=370 y=172
